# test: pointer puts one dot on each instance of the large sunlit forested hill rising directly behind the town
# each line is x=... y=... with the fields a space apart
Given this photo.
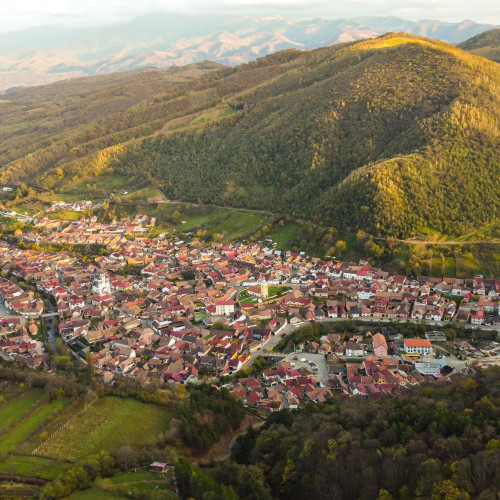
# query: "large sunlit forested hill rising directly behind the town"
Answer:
x=389 y=135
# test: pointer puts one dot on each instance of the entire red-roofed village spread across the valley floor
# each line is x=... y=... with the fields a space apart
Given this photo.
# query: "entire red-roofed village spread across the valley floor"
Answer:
x=177 y=311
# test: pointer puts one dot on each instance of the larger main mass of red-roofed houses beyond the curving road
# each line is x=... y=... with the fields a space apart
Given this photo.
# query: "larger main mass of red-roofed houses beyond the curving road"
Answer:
x=153 y=308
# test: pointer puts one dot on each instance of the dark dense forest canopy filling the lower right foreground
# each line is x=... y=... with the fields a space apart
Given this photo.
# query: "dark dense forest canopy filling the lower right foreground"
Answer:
x=439 y=442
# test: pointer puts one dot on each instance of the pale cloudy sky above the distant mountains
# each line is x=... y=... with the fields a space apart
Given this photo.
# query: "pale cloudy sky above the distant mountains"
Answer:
x=20 y=14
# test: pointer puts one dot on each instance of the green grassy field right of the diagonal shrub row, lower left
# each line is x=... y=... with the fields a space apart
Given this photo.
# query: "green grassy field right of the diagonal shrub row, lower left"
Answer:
x=107 y=425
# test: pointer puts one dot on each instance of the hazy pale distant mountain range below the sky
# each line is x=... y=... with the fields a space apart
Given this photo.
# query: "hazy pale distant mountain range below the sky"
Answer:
x=41 y=55
